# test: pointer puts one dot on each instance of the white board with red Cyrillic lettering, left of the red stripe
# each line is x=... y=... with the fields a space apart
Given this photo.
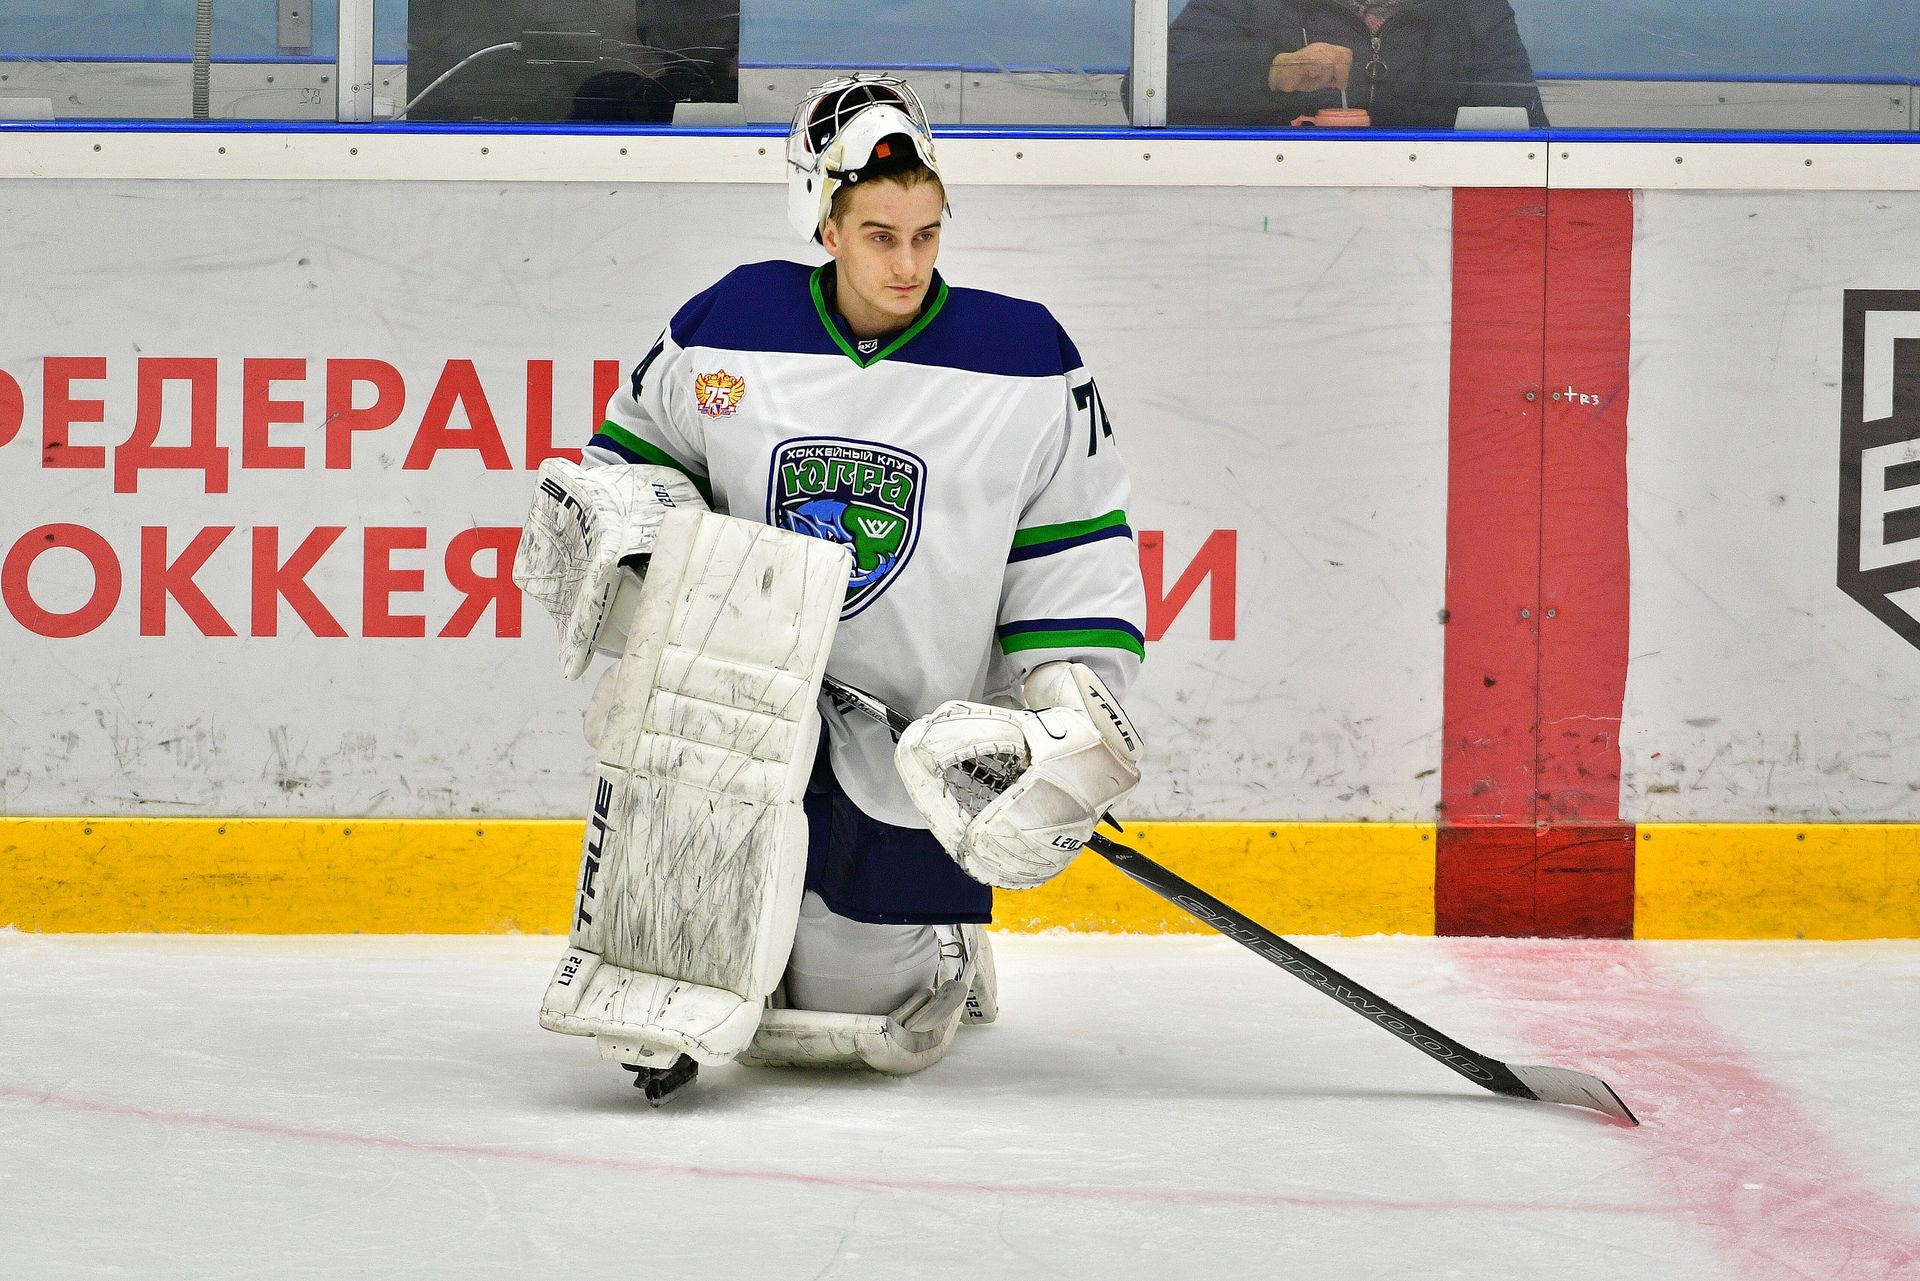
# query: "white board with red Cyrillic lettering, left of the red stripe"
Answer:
x=264 y=448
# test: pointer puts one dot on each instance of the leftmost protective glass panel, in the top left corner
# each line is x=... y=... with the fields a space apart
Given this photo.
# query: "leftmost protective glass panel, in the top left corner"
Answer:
x=251 y=60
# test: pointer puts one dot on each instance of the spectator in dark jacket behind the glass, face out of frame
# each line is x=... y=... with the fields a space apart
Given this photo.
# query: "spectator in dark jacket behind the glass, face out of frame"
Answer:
x=1404 y=62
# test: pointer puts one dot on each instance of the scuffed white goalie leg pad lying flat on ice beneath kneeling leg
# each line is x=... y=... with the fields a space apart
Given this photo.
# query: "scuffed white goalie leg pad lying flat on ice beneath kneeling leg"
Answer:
x=907 y=1040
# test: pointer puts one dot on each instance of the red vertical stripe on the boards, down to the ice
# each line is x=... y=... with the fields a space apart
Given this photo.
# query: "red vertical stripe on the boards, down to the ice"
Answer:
x=1531 y=840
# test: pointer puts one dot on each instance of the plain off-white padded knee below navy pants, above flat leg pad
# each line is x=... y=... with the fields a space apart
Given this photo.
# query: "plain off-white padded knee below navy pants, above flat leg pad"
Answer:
x=852 y=967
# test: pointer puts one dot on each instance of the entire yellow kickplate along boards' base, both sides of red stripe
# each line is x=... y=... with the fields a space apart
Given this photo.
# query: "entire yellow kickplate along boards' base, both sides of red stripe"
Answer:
x=479 y=877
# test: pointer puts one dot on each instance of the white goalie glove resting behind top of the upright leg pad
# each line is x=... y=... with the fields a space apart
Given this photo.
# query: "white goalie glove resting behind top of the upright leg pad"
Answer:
x=583 y=525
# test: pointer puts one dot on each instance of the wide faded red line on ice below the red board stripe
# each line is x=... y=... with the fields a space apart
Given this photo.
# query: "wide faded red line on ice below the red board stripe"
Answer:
x=1739 y=1155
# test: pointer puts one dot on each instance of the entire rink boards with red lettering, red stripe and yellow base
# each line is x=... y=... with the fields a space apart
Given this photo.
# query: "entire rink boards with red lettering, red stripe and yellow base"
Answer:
x=1524 y=558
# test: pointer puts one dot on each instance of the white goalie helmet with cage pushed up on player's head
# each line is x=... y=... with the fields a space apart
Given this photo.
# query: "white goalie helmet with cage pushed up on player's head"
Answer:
x=852 y=130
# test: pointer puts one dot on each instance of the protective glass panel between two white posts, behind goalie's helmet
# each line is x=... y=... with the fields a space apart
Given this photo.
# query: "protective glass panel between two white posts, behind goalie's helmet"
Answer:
x=721 y=62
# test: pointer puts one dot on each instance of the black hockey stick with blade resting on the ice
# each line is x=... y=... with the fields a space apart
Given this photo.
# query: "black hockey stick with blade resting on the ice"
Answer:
x=1514 y=1080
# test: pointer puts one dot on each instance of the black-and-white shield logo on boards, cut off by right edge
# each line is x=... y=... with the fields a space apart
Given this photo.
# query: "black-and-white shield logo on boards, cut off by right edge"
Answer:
x=1881 y=458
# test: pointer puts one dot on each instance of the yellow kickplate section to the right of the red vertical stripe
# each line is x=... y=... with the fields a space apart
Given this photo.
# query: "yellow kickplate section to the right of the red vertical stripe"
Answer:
x=1777 y=882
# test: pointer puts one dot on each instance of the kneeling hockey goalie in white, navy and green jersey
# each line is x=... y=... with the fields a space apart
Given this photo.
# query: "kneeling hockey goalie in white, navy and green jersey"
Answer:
x=848 y=470
